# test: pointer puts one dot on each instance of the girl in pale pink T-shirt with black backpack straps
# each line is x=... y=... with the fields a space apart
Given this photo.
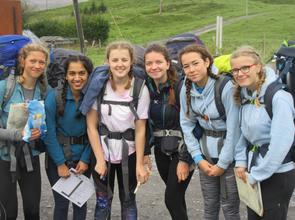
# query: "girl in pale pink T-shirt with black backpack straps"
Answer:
x=121 y=146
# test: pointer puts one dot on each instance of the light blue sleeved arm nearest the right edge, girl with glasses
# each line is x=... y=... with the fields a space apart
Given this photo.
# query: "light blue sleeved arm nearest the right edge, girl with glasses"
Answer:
x=281 y=137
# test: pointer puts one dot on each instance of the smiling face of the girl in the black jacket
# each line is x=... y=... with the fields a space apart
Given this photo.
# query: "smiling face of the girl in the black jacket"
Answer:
x=156 y=66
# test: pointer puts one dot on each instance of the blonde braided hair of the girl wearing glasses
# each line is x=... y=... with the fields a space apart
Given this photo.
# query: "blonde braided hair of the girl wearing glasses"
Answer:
x=248 y=51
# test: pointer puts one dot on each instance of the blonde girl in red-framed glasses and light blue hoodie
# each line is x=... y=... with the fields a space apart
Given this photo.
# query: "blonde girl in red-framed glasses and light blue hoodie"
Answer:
x=272 y=135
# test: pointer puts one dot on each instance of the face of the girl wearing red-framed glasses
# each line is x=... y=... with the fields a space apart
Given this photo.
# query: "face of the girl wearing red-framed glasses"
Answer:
x=245 y=71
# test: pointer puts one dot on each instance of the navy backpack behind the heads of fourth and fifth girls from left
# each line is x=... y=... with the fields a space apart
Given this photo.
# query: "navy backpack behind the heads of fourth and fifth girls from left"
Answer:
x=178 y=42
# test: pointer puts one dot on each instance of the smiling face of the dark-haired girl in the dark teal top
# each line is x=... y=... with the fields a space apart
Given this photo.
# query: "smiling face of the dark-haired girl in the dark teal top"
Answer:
x=76 y=76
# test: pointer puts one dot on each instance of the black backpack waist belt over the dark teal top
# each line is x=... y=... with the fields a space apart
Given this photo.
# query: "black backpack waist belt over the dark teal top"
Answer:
x=67 y=141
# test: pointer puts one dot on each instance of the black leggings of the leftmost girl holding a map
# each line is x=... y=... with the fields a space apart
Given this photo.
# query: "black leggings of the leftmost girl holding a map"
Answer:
x=30 y=187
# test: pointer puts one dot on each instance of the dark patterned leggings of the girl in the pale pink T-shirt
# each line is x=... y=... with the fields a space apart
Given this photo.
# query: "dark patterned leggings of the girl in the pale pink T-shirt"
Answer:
x=105 y=189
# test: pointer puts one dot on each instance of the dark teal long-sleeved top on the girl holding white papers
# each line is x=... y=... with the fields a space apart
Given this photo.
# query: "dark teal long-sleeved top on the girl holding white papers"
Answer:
x=70 y=124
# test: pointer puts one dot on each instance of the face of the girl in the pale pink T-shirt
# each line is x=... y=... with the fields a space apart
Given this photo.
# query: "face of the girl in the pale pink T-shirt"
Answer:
x=120 y=63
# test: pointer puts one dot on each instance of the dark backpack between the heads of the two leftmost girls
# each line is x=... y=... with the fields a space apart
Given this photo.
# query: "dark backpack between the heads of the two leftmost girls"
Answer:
x=55 y=71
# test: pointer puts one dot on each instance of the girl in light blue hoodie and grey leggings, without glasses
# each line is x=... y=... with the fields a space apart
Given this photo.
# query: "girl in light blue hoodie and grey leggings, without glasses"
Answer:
x=214 y=156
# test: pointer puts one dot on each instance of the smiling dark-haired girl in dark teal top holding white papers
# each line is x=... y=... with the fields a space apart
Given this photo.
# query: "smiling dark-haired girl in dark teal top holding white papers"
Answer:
x=66 y=139
